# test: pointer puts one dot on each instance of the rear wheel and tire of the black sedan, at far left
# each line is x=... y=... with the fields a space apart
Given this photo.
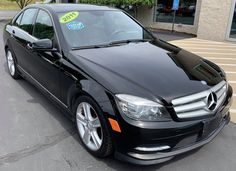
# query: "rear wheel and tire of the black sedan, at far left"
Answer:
x=11 y=65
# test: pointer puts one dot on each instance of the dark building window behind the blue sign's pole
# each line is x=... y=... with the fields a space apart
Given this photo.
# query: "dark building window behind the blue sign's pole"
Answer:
x=184 y=15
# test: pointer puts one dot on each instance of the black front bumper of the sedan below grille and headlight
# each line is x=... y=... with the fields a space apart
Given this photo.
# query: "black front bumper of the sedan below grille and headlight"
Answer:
x=180 y=137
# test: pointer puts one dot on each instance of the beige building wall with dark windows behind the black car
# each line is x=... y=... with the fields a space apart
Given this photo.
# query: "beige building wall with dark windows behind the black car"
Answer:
x=207 y=19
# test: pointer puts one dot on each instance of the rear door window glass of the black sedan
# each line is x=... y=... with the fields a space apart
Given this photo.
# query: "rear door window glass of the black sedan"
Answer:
x=27 y=20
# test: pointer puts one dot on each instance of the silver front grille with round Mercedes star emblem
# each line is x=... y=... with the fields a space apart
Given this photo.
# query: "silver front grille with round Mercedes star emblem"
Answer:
x=198 y=105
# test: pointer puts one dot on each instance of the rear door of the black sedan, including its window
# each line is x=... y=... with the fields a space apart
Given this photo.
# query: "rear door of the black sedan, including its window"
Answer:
x=21 y=31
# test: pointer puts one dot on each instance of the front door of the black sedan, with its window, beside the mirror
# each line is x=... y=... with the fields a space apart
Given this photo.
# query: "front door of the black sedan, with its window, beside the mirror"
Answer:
x=46 y=64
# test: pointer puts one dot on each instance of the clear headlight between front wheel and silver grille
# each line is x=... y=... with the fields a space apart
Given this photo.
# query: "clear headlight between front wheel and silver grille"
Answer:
x=141 y=109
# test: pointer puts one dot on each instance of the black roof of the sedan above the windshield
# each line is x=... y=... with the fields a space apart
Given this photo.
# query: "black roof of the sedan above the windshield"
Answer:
x=70 y=7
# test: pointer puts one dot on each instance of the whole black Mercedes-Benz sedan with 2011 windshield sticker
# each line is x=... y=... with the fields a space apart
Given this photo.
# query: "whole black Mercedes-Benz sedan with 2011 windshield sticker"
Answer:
x=130 y=94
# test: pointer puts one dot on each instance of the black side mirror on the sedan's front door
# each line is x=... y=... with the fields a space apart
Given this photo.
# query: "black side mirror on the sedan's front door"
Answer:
x=42 y=44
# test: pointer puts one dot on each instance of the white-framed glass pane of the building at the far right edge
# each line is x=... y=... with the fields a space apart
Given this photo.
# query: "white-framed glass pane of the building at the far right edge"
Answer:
x=232 y=29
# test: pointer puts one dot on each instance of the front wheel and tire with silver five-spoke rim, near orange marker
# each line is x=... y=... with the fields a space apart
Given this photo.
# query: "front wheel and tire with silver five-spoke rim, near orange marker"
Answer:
x=99 y=141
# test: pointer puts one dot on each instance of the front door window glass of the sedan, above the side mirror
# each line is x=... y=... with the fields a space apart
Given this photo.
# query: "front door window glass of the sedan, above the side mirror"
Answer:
x=43 y=28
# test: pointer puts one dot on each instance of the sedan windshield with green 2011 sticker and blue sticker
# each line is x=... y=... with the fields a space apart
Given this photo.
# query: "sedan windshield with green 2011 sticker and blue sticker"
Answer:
x=89 y=28
